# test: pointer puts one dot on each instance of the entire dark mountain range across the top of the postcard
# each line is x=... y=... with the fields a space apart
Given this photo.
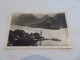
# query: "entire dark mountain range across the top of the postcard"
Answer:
x=56 y=22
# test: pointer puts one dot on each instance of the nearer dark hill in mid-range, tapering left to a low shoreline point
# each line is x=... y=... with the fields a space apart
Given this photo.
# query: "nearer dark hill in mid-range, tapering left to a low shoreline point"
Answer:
x=47 y=23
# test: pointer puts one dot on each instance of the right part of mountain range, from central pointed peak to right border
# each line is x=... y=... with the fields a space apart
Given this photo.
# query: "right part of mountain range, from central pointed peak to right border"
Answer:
x=56 y=22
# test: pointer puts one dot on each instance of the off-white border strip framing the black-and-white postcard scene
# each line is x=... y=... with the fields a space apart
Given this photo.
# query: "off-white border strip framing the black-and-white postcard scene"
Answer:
x=30 y=47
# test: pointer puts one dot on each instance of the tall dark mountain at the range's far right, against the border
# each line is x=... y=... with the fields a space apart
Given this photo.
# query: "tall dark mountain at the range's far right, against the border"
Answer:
x=61 y=20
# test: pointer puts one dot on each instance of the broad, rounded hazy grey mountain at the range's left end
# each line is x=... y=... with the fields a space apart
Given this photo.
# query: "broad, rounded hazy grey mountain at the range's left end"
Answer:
x=26 y=19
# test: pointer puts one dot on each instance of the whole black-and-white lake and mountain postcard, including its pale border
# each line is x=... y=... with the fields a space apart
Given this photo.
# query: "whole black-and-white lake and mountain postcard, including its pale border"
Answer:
x=38 y=30
